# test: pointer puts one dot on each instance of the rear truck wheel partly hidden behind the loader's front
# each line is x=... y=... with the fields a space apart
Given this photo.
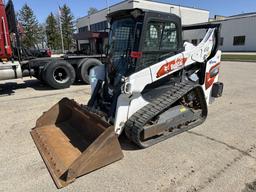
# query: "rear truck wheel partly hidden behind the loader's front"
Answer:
x=84 y=69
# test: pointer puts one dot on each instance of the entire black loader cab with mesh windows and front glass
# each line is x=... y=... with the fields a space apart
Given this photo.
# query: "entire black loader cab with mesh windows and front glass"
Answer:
x=140 y=38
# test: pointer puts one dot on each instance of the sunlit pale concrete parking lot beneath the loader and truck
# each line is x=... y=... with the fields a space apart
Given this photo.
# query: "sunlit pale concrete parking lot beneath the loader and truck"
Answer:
x=219 y=155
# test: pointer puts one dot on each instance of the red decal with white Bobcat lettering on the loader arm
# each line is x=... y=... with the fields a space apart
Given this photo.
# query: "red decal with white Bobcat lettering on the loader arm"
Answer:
x=170 y=66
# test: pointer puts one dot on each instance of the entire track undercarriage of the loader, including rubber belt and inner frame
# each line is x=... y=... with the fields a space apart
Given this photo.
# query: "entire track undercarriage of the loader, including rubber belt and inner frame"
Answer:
x=177 y=110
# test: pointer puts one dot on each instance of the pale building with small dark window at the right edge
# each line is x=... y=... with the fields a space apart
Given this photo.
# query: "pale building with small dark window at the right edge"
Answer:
x=238 y=33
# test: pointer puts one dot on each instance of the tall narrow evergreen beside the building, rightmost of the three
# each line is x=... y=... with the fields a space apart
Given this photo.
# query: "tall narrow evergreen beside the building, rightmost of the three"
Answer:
x=68 y=28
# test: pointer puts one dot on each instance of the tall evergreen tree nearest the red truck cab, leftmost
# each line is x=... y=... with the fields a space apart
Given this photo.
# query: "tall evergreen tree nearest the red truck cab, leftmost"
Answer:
x=30 y=25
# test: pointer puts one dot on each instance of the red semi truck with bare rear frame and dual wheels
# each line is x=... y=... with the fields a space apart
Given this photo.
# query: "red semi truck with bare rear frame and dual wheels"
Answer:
x=16 y=63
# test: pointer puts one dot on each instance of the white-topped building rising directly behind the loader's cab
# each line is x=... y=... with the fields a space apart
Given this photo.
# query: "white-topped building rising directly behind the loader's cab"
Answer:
x=98 y=21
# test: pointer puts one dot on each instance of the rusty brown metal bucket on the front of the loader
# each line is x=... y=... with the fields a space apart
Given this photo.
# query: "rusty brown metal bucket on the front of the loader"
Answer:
x=74 y=142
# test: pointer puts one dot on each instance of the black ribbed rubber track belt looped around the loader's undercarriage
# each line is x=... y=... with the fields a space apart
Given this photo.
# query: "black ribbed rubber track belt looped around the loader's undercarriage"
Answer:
x=134 y=126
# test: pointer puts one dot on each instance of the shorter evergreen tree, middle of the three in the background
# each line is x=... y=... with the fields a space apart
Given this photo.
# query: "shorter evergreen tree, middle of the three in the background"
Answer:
x=52 y=32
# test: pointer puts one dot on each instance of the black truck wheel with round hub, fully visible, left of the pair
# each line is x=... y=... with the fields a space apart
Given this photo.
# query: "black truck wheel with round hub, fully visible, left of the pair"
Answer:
x=59 y=74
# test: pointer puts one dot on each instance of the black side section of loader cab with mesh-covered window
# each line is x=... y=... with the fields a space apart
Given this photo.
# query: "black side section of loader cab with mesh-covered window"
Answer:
x=161 y=39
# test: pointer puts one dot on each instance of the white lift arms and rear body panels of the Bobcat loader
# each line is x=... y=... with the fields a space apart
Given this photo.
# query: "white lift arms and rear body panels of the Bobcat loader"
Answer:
x=131 y=100
